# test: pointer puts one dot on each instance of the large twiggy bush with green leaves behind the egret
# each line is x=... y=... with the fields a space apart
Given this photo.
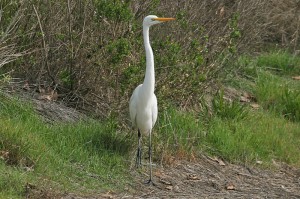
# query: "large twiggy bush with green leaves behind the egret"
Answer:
x=94 y=52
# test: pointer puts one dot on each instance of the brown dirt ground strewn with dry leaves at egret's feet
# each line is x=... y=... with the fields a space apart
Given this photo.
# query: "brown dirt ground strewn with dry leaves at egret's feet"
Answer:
x=211 y=178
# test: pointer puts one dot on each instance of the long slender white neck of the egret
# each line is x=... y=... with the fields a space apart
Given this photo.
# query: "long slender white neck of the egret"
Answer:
x=149 y=81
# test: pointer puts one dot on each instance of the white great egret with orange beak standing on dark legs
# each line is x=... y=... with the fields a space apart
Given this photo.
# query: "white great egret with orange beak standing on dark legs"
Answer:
x=143 y=102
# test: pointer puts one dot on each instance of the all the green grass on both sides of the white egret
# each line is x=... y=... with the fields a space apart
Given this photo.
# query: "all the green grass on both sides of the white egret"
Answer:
x=93 y=156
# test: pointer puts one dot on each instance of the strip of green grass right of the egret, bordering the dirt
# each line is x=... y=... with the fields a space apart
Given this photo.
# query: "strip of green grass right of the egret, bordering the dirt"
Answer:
x=259 y=135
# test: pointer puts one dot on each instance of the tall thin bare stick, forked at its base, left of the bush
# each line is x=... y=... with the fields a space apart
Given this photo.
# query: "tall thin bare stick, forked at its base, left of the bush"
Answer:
x=45 y=63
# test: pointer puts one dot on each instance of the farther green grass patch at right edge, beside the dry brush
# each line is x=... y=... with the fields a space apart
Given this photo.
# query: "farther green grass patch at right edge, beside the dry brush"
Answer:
x=275 y=90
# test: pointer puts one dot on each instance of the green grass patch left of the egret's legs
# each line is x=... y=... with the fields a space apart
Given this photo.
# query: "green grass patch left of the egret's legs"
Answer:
x=83 y=157
